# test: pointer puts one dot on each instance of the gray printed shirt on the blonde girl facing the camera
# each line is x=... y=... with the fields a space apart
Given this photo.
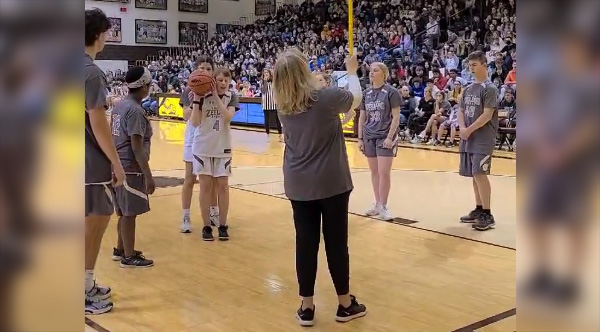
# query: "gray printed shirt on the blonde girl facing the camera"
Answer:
x=378 y=105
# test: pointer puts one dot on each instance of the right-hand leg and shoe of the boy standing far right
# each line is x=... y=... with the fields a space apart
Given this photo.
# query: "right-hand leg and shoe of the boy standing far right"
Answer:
x=481 y=168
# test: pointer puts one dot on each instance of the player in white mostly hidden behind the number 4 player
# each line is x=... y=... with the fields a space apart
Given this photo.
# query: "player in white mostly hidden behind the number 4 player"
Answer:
x=205 y=65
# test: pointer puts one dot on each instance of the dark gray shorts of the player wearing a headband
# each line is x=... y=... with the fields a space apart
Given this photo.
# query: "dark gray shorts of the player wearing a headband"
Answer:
x=131 y=199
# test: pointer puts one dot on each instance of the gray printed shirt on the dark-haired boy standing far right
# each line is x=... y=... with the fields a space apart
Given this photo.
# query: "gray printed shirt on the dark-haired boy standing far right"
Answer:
x=474 y=100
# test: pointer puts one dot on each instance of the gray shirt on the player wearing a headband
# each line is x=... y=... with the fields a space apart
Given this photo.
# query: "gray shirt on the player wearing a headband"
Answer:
x=128 y=119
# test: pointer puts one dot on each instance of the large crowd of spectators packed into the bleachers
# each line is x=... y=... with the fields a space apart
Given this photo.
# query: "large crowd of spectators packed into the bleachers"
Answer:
x=424 y=43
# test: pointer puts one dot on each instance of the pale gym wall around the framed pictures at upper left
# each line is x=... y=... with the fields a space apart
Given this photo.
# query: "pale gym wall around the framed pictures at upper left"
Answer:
x=219 y=11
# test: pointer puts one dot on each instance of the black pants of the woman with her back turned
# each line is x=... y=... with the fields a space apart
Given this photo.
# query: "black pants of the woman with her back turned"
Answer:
x=307 y=219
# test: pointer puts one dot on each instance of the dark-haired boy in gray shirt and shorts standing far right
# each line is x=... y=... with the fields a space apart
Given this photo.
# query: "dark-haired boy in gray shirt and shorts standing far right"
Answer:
x=478 y=121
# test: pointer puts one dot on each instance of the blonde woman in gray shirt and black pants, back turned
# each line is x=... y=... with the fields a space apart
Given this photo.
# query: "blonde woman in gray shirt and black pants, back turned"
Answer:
x=317 y=177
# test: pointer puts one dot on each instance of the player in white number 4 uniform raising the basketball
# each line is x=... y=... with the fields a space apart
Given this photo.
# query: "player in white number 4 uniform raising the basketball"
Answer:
x=211 y=148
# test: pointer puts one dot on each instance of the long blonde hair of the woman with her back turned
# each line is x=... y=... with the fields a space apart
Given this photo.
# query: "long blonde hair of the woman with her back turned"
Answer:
x=293 y=84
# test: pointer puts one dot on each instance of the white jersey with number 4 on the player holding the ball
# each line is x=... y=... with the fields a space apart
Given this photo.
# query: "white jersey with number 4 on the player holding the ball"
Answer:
x=213 y=137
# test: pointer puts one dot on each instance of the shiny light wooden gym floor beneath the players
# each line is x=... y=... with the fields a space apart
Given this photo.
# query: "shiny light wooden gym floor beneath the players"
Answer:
x=423 y=272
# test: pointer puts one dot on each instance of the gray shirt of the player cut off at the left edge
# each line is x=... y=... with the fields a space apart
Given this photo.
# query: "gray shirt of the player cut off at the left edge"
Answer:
x=97 y=164
